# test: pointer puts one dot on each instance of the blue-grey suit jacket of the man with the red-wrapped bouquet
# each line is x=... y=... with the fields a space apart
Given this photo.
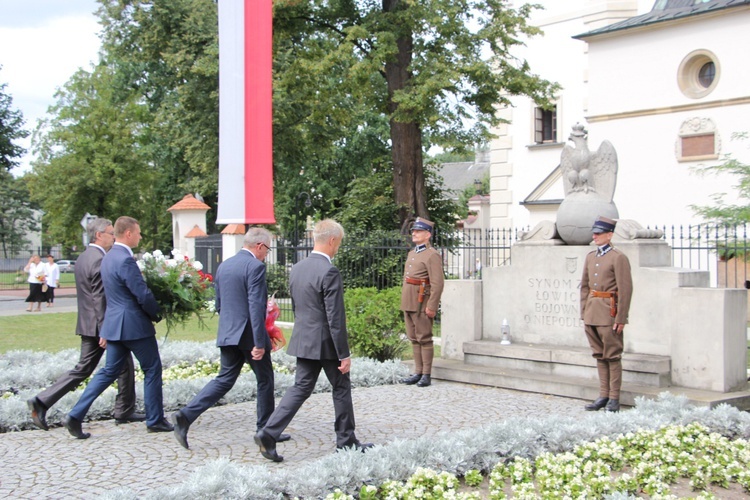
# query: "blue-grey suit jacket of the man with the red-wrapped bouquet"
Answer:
x=241 y=295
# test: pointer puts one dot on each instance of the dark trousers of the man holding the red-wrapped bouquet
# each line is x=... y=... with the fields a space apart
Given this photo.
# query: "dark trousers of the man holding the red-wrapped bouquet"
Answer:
x=232 y=360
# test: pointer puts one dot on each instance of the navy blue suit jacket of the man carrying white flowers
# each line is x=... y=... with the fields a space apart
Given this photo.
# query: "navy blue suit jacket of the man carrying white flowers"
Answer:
x=131 y=307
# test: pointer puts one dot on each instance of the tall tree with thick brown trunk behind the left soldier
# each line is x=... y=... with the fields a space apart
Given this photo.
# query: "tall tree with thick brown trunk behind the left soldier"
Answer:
x=437 y=69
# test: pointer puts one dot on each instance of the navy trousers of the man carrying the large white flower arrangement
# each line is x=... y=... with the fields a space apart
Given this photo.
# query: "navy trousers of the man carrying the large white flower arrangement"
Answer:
x=146 y=351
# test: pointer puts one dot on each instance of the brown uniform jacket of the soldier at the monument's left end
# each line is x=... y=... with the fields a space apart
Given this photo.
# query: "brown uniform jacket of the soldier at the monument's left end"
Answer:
x=425 y=264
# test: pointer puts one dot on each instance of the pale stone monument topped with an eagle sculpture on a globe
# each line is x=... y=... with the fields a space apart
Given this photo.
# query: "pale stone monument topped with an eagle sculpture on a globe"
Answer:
x=682 y=335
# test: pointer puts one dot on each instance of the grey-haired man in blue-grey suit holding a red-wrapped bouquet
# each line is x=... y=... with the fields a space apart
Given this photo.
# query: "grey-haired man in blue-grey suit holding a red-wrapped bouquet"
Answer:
x=241 y=295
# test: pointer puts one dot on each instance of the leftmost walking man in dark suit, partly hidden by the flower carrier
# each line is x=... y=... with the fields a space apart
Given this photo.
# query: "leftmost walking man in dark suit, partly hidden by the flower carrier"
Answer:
x=91 y=306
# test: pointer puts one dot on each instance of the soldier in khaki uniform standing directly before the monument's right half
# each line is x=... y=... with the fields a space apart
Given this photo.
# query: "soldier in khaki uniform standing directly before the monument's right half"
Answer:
x=606 y=289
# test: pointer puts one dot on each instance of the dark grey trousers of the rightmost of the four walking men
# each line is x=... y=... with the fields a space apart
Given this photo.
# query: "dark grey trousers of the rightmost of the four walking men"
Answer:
x=304 y=382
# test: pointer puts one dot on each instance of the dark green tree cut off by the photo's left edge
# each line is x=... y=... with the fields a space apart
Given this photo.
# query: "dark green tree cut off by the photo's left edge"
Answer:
x=16 y=212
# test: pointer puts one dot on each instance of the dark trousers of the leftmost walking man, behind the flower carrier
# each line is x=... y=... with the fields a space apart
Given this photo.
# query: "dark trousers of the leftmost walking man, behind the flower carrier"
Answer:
x=91 y=353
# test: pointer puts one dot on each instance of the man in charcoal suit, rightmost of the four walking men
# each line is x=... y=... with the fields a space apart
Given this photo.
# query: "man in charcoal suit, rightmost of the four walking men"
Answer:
x=319 y=341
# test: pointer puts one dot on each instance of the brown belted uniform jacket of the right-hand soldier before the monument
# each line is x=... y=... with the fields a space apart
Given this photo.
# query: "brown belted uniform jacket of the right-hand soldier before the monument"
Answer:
x=606 y=273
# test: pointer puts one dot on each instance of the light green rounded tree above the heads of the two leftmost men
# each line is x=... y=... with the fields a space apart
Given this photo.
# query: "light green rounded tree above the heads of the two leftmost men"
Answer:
x=91 y=159
